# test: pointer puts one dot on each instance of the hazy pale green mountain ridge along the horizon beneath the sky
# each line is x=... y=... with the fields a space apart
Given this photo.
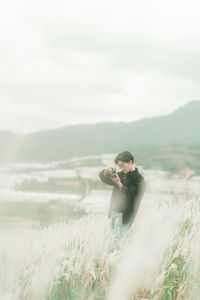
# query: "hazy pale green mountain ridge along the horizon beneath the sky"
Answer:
x=178 y=129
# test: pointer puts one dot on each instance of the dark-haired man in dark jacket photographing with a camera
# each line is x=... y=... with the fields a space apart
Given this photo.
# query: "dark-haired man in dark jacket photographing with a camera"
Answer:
x=129 y=187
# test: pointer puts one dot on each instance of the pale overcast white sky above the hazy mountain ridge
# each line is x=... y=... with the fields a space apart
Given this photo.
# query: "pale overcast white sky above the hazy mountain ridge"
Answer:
x=81 y=61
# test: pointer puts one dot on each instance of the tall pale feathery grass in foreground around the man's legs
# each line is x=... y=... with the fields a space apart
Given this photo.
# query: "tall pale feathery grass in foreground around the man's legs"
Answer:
x=159 y=257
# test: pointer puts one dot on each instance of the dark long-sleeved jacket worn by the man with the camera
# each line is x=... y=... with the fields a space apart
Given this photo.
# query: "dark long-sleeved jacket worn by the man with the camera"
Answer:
x=126 y=200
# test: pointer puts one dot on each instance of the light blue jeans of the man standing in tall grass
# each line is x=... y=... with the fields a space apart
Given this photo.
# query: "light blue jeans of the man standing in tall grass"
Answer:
x=118 y=229
